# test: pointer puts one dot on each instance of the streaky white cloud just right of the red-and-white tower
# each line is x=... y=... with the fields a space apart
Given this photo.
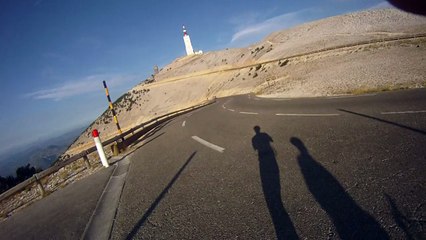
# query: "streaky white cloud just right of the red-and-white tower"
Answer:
x=259 y=30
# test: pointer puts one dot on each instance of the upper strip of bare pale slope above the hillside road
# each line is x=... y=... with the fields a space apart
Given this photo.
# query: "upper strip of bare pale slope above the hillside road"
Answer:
x=326 y=33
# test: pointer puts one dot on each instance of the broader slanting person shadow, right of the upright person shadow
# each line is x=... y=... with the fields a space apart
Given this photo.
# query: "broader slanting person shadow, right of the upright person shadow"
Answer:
x=350 y=220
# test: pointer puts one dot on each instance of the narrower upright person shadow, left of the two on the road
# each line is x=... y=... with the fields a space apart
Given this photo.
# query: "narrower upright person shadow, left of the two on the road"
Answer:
x=270 y=178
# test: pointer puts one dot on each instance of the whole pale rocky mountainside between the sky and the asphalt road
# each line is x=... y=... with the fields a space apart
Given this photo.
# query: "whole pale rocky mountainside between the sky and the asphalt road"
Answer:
x=337 y=55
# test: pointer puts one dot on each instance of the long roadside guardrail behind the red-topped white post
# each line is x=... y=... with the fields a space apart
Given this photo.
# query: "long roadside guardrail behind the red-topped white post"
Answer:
x=140 y=130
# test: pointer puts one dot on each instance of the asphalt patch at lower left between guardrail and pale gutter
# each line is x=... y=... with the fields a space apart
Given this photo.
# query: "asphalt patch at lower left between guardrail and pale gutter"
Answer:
x=61 y=215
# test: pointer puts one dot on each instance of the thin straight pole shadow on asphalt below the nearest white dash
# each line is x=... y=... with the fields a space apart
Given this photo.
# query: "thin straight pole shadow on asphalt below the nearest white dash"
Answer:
x=148 y=212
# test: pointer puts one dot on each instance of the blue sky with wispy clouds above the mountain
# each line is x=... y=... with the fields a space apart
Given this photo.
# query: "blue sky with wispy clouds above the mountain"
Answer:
x=55 y=54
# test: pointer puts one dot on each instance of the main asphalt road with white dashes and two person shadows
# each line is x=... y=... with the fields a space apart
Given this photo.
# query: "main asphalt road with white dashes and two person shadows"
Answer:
x=317 y=168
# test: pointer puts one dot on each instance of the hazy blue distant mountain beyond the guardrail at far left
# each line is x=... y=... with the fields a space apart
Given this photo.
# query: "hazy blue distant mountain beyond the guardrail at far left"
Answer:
x=39 y=154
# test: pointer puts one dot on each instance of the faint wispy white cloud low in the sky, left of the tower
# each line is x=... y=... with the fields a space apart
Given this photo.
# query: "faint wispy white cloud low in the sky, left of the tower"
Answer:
x=88 y=84
